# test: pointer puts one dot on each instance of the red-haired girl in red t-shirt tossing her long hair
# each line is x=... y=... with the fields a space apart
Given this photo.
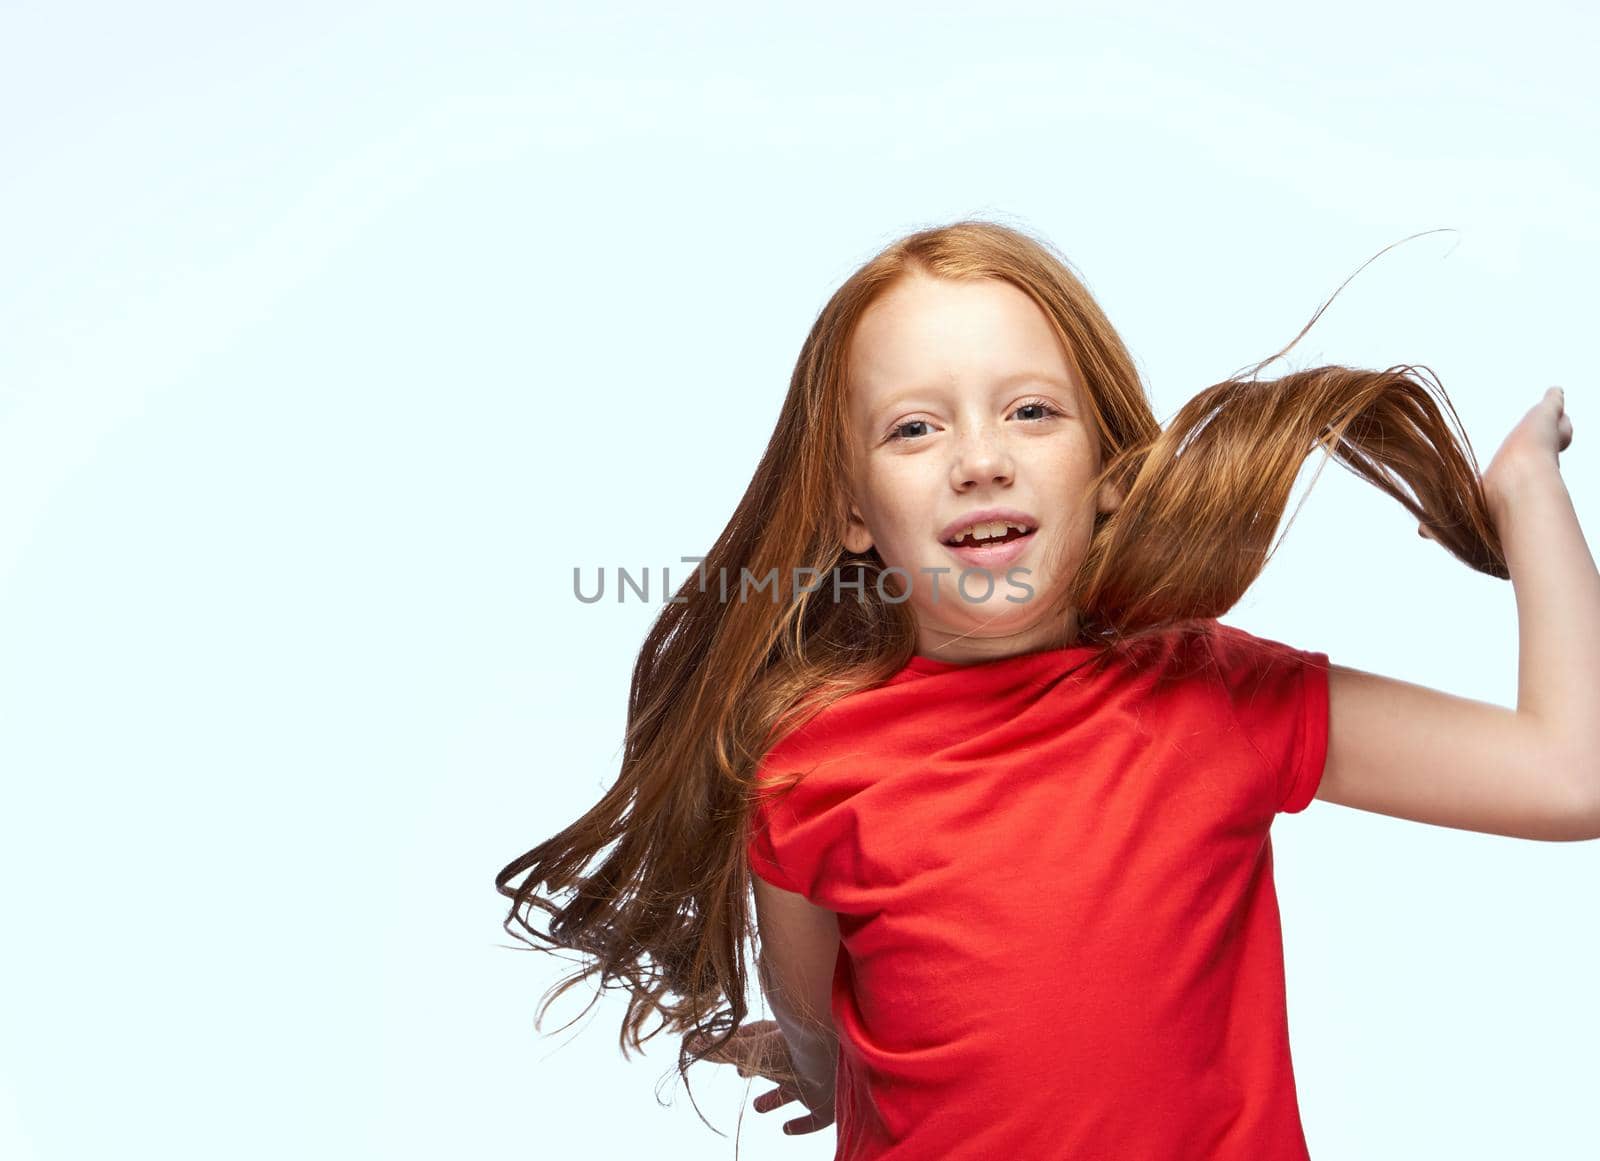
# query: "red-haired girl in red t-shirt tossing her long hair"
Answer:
x=954 y=687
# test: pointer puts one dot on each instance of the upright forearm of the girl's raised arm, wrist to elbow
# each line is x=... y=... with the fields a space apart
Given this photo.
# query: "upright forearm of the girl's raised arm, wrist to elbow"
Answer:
x=1558 y=618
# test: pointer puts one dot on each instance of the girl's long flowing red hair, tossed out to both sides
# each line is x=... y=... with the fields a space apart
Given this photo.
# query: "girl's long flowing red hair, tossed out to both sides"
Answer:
x=652 y=885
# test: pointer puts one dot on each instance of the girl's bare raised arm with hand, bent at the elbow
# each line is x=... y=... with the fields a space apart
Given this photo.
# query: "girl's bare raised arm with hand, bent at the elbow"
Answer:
x=1529 y=773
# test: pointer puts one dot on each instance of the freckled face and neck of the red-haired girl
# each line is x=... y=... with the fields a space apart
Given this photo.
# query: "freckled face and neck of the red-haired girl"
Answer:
x=962 y=401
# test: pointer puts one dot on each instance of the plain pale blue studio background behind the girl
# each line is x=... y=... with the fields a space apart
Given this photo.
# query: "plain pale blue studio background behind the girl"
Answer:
x=337 y=337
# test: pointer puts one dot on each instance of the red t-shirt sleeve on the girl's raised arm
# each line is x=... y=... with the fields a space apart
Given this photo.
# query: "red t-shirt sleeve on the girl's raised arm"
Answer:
x=1281 y=701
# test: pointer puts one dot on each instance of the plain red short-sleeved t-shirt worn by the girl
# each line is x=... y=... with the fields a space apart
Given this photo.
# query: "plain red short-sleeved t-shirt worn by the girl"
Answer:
x=1060 y=932
